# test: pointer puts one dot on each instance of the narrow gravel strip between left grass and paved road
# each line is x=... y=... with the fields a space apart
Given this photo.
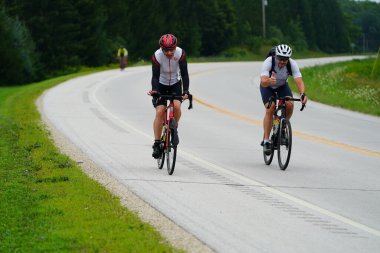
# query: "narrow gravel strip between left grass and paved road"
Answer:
x=173 y=233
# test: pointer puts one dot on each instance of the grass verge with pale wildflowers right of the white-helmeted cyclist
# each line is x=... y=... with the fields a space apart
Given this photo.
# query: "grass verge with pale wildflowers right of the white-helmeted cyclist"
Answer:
x=349 y=85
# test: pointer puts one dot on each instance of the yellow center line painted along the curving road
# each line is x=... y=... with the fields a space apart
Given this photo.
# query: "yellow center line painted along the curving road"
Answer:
x=309 y=137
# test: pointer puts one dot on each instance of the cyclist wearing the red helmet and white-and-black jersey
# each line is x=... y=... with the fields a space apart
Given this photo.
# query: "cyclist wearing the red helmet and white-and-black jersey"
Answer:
x=169 y=75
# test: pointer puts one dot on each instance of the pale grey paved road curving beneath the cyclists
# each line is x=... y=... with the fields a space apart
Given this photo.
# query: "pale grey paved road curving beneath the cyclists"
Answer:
x=328 y=200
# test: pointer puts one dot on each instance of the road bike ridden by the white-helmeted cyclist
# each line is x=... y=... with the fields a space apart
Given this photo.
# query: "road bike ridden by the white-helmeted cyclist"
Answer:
x=281 y=133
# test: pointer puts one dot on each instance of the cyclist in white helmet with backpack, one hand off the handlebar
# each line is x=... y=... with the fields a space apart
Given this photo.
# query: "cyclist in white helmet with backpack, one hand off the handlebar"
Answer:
x=275 y=78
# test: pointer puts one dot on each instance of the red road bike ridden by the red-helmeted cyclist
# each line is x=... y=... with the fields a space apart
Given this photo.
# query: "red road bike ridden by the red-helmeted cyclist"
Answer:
x=169 y=135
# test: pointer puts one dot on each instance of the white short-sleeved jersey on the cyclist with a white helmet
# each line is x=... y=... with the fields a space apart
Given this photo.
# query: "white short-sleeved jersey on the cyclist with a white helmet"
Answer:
x=281 y=74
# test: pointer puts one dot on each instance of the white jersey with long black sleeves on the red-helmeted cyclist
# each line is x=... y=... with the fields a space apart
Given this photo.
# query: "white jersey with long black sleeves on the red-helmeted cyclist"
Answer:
x=170 y=71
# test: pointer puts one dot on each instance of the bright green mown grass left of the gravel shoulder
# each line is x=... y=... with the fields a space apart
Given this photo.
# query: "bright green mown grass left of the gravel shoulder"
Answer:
x=47 y=204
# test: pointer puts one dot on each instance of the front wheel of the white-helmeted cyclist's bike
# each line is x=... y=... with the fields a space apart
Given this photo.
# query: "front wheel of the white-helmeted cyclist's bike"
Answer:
x=284 y=143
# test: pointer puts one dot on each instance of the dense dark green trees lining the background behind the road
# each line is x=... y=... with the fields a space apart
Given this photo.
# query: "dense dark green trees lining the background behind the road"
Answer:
x=49 y=37
